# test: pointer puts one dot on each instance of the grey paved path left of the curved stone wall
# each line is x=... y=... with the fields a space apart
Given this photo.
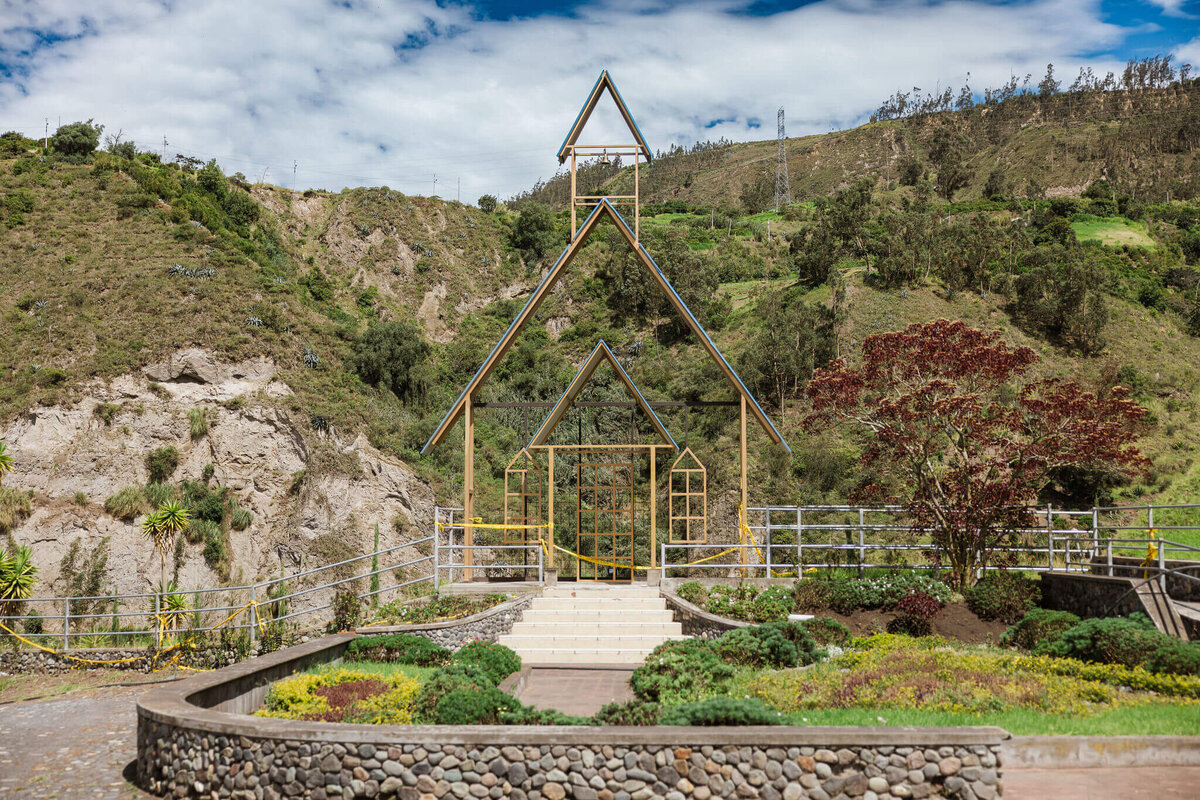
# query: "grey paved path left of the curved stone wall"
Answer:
x=76 y=747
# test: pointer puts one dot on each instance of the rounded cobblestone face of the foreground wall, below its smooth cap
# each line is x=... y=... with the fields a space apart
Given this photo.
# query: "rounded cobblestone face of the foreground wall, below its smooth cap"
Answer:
x=191 y=763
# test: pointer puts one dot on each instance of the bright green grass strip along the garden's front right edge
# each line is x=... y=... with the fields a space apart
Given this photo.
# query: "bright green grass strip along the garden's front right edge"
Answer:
x=1141 y=720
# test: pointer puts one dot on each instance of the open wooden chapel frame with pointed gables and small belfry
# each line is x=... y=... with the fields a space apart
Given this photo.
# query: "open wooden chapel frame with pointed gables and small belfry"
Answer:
x=605 y=515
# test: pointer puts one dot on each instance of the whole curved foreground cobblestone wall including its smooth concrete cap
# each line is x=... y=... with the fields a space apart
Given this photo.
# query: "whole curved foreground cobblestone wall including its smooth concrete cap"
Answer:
x=196 y=741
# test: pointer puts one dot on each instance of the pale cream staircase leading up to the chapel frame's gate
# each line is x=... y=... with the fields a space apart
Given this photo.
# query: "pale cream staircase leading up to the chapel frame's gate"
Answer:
x=593 y=624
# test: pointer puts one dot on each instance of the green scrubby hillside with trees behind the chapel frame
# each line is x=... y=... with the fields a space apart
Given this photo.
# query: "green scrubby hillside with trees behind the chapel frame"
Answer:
x=115 y=263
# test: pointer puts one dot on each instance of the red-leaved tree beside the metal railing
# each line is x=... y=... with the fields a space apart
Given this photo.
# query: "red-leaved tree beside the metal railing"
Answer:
x=970 y=441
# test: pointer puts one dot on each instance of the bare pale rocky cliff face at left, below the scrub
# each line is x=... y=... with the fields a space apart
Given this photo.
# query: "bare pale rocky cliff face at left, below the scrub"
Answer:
x=315 y=498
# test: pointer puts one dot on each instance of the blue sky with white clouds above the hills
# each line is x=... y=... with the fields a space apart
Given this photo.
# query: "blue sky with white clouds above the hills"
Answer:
x=399 y=92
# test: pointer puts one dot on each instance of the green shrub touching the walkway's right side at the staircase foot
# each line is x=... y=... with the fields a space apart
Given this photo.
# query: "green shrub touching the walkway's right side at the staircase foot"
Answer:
x=680 y=672
